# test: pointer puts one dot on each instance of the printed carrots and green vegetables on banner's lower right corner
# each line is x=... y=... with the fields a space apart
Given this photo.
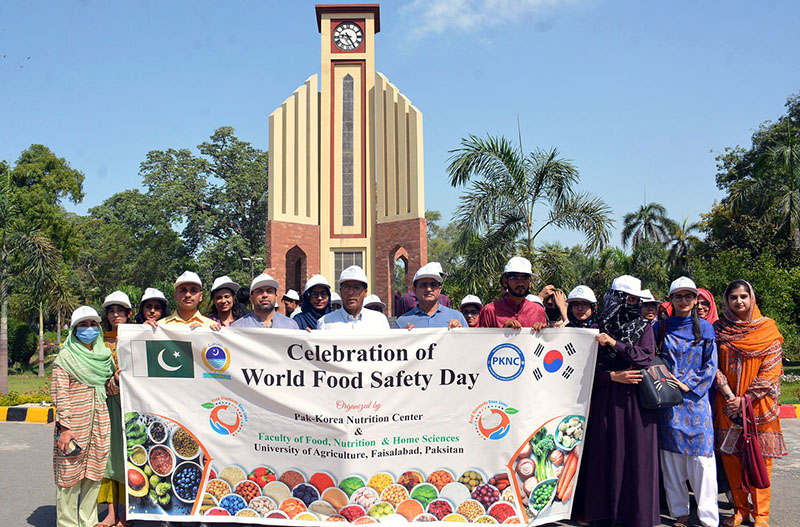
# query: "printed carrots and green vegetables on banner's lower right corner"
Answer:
x=546 y=465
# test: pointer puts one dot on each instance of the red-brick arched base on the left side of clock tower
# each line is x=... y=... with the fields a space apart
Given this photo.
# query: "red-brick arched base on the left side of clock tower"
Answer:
x=302 y=240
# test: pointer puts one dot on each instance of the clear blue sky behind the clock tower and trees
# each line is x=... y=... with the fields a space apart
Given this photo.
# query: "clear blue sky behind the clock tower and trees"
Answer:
x=641 y=96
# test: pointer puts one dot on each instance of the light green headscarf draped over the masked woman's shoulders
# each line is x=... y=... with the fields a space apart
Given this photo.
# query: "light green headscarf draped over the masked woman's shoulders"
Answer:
x=91 y=367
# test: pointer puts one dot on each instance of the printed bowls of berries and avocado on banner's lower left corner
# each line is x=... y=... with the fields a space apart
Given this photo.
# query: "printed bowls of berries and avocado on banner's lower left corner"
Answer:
x=165 y=465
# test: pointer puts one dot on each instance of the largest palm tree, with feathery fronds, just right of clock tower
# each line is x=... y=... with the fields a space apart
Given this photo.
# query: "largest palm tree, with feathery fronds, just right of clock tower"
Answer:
x=507 y=190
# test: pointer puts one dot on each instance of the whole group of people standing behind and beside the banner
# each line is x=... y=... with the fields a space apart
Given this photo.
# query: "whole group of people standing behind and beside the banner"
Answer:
x=716 y=361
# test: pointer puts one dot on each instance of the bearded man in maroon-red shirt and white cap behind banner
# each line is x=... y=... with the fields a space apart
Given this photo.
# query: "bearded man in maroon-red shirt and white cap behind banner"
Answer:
x=514 y=310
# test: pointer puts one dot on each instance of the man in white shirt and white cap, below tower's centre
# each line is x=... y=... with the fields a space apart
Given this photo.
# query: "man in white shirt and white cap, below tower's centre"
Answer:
x=353 y=316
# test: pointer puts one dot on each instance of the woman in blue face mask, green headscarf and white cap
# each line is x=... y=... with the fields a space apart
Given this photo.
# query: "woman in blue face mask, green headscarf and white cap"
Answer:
x=83 y=375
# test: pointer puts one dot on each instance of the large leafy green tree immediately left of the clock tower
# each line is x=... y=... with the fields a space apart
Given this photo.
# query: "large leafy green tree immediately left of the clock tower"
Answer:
x=219 y=197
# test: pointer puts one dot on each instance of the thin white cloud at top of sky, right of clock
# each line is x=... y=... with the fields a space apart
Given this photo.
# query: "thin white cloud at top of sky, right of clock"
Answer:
x=440 y=16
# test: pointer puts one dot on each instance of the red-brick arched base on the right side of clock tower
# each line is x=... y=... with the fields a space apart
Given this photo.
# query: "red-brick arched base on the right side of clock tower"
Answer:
x=407 y=238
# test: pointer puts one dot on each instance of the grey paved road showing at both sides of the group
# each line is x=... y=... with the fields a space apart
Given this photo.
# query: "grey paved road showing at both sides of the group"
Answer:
x=28 y=493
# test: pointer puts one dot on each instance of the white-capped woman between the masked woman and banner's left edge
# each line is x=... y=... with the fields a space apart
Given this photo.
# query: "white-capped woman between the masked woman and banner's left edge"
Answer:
x=117 y=308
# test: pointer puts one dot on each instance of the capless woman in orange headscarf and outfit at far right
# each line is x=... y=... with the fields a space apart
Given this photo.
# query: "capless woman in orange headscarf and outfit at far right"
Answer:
x=750 y=355
